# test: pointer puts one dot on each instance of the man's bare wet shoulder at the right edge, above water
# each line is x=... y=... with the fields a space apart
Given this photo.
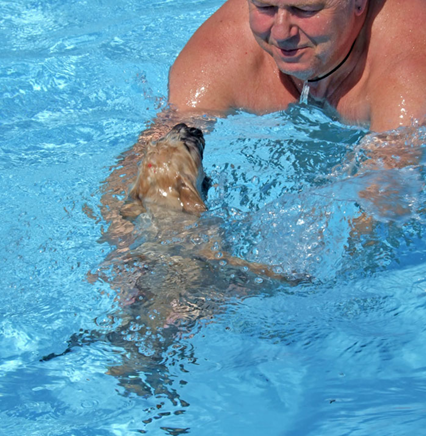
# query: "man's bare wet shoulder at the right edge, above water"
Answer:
x=396 y=63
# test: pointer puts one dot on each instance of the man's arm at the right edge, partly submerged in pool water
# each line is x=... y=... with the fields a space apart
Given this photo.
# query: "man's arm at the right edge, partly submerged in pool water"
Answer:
x=397 y=111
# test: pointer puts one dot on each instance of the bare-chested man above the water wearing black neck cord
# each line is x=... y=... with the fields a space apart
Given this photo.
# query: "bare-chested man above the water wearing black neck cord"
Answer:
x=364 y=59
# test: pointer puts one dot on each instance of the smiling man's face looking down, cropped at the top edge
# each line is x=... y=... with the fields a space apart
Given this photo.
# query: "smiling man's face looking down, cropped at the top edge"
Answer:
x=306 y=38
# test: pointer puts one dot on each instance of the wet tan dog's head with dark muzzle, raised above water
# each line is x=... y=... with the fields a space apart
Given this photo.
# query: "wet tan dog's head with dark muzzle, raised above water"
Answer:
x=171 y=174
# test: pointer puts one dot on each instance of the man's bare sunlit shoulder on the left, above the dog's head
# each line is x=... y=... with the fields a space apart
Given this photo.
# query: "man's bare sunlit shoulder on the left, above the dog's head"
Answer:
x=216 y=58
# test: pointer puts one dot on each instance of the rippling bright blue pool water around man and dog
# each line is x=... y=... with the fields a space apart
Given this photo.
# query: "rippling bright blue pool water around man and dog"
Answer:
x=202 y=347
